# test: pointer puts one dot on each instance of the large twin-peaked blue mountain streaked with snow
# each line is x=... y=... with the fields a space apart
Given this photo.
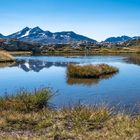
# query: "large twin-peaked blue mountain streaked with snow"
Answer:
x=46 y=37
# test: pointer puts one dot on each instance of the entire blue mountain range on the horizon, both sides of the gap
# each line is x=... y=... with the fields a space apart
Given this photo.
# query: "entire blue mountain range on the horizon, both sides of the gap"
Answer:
x=37 y=35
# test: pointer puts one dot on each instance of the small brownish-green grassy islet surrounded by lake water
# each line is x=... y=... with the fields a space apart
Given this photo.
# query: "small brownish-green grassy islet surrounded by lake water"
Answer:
x=90 y=71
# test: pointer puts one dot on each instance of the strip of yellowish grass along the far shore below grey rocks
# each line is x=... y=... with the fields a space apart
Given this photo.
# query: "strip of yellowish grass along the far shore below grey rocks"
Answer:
x=70 y=51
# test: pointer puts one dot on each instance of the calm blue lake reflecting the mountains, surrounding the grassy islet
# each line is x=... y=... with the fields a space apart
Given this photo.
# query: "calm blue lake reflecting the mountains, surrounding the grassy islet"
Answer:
x=121 y=89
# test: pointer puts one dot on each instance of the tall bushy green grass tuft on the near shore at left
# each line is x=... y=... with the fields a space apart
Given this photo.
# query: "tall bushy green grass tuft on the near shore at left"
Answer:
x=26 y=101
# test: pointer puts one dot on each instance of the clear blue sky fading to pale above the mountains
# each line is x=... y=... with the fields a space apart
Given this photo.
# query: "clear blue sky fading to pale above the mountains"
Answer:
x=97 y=19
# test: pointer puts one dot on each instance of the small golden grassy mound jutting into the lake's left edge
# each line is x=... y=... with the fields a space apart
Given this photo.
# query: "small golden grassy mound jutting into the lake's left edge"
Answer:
x=6 y=57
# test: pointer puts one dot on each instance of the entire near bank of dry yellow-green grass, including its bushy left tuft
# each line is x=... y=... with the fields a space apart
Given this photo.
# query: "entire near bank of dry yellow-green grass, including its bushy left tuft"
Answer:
x=37 y=121
